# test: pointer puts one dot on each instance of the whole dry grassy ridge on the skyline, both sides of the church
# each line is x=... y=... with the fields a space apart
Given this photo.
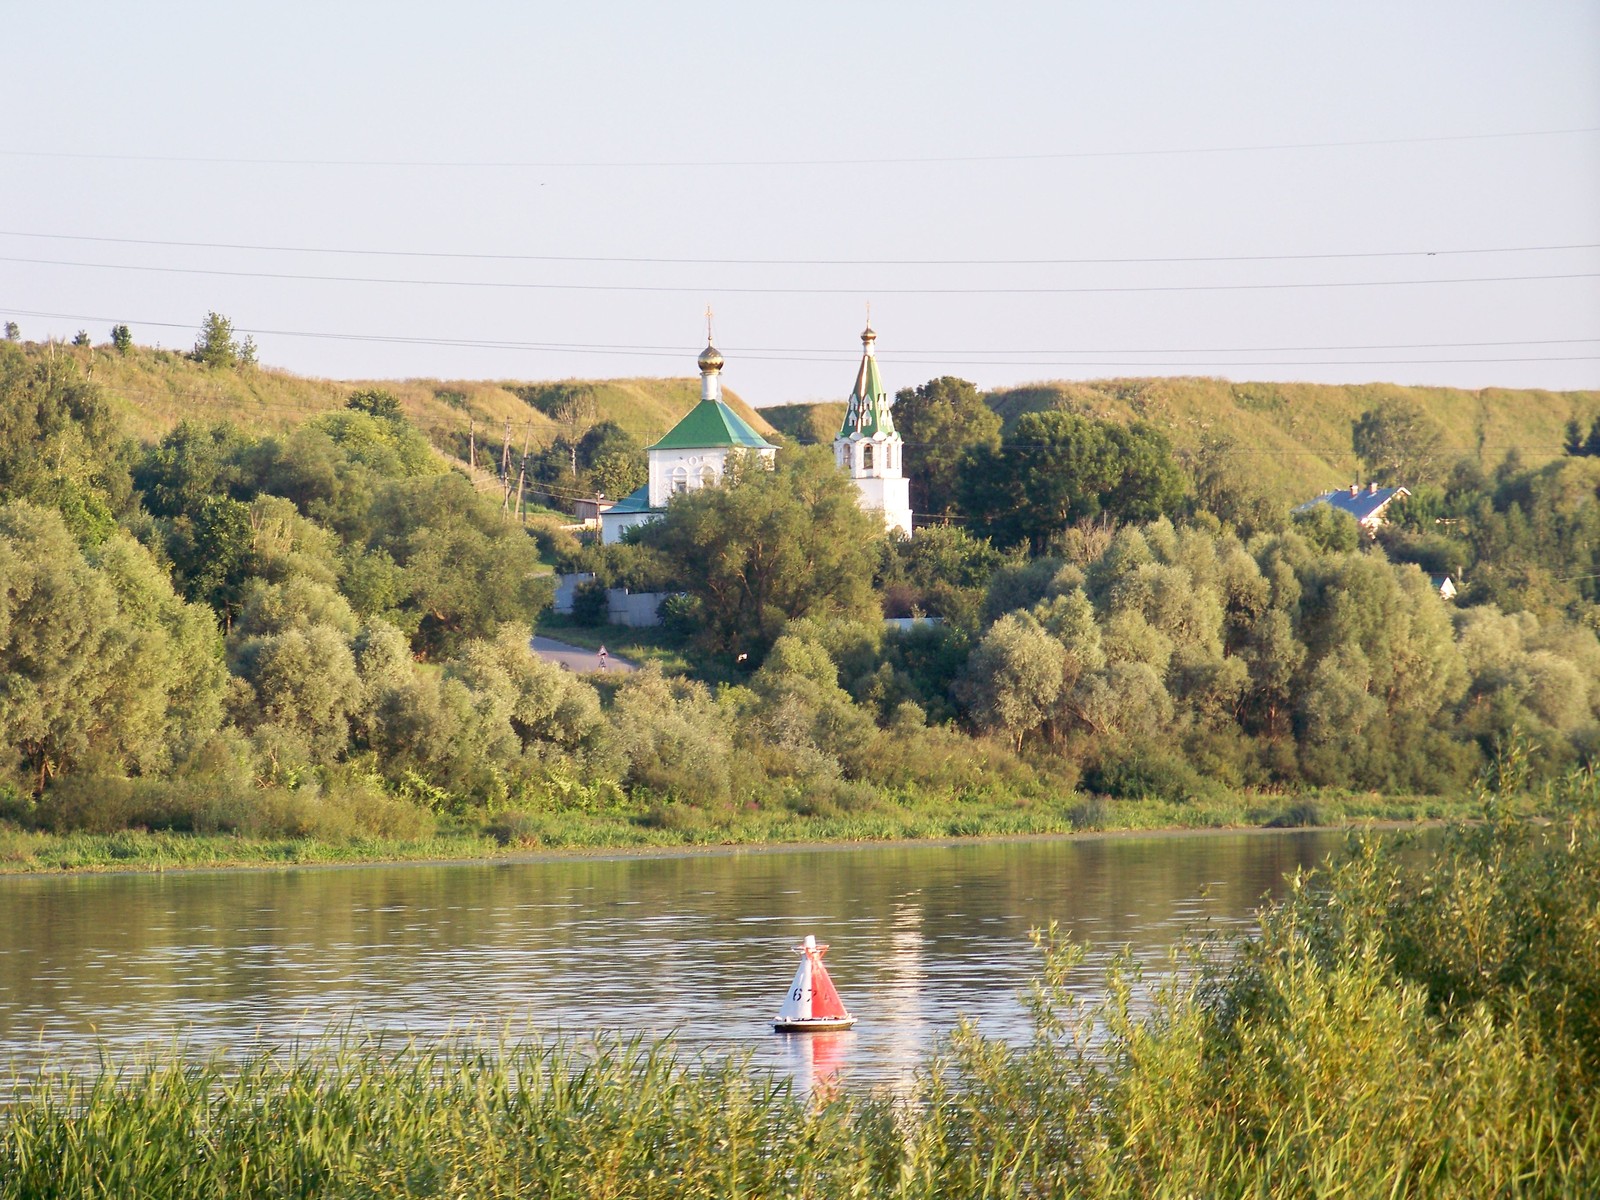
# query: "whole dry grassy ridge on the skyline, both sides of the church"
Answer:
x=1298 y=436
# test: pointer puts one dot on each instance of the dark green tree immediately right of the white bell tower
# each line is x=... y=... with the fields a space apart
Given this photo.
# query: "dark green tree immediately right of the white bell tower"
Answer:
x=942 y=422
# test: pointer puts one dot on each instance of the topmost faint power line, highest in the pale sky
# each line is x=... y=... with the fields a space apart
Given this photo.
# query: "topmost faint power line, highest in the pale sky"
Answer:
x=876 y=161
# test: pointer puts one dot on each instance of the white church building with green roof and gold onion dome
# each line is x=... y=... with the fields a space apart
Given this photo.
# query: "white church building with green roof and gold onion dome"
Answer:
x=694 y=455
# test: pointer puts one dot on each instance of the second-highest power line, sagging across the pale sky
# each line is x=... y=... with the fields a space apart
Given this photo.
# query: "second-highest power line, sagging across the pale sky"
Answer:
x=807 y=262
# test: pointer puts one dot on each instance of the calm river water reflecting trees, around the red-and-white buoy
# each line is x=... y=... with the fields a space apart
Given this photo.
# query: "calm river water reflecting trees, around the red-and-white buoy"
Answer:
x=702 y=946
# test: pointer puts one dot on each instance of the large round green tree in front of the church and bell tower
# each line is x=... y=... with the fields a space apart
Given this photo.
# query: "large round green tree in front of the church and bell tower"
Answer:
x=770 y=546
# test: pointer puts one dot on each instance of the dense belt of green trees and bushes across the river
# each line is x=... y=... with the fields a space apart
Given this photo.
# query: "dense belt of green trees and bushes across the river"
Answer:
x=326 y=631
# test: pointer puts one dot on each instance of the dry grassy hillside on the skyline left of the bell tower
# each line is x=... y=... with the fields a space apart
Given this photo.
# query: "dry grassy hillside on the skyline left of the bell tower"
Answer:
x=156 y=390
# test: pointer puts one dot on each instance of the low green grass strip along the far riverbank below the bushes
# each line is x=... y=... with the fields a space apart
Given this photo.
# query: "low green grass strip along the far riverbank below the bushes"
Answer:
x=674 y=828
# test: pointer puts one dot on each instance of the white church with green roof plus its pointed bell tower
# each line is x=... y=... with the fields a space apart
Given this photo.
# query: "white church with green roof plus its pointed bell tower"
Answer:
x=695 y=452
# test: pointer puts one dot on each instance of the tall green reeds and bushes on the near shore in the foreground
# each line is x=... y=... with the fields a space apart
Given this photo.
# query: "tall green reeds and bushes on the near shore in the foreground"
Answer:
x=1402 y=1025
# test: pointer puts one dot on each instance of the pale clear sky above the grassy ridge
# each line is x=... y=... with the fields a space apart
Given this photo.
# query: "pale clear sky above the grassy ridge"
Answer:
x=1022 y=193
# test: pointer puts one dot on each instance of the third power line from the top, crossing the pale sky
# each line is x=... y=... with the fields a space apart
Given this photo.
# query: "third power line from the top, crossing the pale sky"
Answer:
x=703 y=290
